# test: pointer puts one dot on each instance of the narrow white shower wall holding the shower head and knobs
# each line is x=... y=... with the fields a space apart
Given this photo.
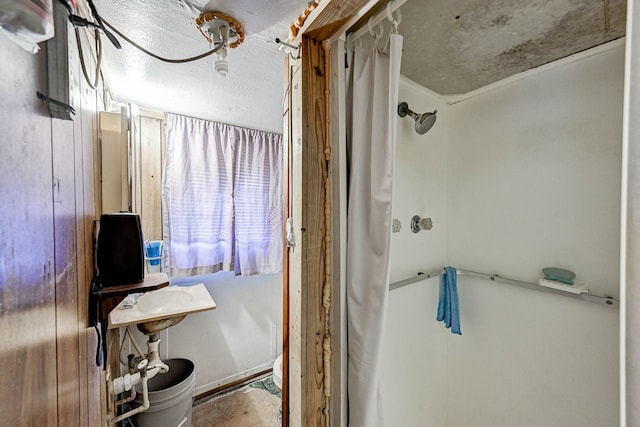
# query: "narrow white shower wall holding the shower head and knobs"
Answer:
x=414 y=354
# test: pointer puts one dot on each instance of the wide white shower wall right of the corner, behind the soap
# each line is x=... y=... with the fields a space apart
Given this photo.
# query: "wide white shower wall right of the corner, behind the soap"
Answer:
x=534 y=181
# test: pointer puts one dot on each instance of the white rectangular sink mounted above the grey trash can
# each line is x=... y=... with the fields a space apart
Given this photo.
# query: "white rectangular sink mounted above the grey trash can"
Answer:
x=162 y=308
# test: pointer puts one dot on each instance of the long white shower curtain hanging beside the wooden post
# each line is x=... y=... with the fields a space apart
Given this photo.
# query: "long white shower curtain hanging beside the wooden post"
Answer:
x=373 y=97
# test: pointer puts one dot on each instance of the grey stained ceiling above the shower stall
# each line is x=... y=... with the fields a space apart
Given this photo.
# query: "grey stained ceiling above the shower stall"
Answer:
x=455 y=46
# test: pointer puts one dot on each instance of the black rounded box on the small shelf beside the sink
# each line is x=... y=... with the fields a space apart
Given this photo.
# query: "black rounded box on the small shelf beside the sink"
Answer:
x=120 y=251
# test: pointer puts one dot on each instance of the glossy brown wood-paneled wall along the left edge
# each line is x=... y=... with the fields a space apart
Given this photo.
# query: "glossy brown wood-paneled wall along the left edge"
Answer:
x=47 y=370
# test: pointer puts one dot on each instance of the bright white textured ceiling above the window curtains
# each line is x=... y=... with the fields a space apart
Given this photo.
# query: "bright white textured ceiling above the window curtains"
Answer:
x=250 y=95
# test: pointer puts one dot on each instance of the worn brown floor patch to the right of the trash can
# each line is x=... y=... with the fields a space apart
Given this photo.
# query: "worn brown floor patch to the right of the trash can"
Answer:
x=255 y=405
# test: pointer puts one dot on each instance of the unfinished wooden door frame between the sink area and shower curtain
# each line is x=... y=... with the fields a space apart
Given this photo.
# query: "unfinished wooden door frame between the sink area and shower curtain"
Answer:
x=313 y=275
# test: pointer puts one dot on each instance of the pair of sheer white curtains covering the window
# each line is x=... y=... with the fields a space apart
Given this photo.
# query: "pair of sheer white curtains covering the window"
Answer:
x=222 y=198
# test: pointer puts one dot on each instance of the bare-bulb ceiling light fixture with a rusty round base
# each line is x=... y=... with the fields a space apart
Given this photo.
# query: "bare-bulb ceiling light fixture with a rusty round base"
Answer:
x=223 y=32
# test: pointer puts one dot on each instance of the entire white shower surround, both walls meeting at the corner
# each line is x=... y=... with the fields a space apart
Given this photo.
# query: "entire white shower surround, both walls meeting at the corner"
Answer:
x=531 y=179
